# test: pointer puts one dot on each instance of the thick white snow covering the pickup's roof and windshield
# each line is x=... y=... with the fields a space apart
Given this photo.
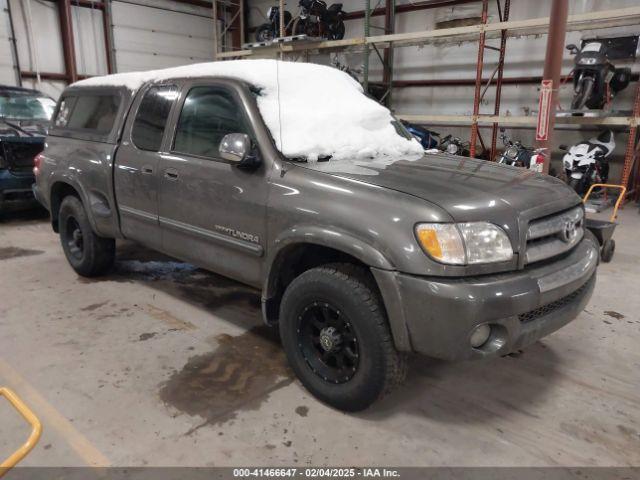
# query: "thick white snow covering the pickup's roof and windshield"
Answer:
x=311 y=110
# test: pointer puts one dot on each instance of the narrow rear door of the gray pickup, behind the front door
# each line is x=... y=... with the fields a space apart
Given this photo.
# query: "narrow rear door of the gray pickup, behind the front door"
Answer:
x=136 y=173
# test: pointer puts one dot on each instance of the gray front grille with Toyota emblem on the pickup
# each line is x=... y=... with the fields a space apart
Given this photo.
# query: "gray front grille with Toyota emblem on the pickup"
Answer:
x=553 y=235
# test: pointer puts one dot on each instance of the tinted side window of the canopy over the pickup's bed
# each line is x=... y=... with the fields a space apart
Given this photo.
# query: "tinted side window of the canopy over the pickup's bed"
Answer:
x=90 y=113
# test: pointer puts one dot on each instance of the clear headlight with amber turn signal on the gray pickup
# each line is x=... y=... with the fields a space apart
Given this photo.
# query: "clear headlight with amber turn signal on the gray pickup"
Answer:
x=464 y=243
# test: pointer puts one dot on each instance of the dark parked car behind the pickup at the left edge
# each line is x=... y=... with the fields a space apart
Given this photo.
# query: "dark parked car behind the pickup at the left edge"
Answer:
x=24 y=117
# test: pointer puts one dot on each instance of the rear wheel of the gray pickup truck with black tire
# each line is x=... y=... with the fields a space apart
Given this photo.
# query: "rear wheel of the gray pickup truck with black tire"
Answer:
x=88 y=254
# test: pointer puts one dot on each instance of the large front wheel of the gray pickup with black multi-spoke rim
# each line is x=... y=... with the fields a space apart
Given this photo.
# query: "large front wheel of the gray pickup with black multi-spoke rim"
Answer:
x=332 y=295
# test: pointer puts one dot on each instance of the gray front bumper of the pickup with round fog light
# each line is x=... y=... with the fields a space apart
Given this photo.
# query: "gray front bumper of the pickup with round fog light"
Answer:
x=435 y=316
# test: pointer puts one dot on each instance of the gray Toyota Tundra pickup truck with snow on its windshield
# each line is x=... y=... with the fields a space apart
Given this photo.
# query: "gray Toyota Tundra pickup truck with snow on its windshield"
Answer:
x=359 y=262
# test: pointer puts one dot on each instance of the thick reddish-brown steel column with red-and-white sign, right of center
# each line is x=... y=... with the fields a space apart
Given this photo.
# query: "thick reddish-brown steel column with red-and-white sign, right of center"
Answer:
x=553 y=66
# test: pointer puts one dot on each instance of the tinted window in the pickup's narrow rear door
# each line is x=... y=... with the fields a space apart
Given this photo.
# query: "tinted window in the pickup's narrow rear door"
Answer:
x=151 y=119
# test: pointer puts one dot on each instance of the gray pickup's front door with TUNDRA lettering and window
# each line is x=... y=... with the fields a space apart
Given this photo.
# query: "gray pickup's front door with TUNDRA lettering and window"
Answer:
x=212 y=213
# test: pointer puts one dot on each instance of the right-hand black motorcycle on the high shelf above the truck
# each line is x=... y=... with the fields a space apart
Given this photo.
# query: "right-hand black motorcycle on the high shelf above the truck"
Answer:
x=316 y=20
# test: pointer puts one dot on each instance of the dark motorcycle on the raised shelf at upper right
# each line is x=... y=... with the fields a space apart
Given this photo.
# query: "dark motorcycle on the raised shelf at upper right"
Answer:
x=595 y=79
